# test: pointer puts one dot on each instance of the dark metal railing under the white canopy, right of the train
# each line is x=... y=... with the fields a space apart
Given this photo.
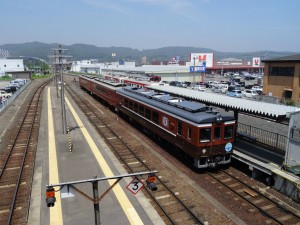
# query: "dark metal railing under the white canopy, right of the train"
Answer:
x=272 y=139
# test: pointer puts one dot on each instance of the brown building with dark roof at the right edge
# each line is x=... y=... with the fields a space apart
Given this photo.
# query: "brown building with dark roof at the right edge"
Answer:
x=281 y=78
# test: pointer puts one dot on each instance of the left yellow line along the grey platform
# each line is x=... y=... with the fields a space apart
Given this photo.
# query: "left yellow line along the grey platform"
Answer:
x=56 y=211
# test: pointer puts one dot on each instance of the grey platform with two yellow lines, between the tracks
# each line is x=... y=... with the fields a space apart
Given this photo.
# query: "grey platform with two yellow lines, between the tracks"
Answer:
x=87 y=157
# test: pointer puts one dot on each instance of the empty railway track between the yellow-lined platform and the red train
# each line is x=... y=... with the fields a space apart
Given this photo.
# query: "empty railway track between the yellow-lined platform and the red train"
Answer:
x=171 y=208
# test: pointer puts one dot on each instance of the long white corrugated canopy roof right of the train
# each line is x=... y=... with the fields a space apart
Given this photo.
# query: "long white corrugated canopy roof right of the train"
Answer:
x=223 y=101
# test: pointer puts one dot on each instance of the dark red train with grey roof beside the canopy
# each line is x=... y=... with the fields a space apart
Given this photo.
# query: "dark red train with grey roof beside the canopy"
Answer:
x=204 y=135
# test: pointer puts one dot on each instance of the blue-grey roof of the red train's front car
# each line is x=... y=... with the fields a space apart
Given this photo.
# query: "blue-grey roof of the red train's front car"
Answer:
x=192 y=111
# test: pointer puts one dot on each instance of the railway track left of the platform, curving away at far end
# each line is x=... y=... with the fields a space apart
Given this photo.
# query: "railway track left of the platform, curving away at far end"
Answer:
x=17 y=164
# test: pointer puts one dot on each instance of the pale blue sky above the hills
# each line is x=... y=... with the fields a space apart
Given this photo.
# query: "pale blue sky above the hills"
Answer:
x=222 y=25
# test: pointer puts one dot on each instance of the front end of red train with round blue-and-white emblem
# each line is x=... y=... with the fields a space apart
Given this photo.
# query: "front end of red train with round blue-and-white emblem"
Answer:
x=215 y=144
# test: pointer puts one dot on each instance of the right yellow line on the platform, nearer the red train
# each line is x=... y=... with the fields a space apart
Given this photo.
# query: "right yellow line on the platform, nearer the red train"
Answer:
x=129 y=210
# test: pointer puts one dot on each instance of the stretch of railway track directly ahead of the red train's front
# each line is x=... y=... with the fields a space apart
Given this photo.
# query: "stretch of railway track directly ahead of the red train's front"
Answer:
x=276 y=212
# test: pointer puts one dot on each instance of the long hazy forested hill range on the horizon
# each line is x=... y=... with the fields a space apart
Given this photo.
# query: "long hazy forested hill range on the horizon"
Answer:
x=104 y=54
